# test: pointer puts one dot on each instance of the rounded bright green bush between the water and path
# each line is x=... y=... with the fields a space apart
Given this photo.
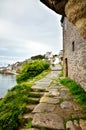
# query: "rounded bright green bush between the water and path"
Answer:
x=31 y=69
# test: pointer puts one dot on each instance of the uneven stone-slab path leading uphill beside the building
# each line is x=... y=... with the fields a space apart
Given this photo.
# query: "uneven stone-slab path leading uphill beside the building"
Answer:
x=56 y=109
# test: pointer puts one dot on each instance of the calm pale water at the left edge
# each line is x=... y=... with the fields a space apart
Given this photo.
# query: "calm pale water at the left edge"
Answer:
x=6 y=82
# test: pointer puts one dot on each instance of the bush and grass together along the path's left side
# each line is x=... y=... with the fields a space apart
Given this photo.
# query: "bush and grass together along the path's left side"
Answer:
x=13 y=105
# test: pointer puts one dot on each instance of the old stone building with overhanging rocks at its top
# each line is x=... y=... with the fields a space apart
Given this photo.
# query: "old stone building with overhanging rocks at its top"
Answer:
x=74 y=37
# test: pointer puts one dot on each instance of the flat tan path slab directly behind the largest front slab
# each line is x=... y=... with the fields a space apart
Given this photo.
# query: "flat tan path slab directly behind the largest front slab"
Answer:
x=43 y=107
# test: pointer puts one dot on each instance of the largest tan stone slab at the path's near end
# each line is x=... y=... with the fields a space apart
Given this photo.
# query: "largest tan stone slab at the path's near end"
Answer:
x=51 y=121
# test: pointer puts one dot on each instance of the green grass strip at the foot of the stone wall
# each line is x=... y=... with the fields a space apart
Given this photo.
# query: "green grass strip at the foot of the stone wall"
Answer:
x=76 y=90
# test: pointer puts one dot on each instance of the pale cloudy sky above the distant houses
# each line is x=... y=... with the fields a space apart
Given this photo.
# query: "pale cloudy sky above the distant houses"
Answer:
x=28 y=28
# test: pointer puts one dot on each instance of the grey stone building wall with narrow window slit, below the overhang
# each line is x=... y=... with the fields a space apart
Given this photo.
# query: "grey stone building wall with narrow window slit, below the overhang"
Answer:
x=74 y=47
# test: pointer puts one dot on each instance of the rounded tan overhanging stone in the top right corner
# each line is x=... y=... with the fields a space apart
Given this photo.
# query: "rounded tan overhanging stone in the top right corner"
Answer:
x=76 y=13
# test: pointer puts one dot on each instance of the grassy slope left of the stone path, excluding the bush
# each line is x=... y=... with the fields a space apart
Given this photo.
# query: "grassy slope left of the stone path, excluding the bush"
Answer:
x=13 y=105
